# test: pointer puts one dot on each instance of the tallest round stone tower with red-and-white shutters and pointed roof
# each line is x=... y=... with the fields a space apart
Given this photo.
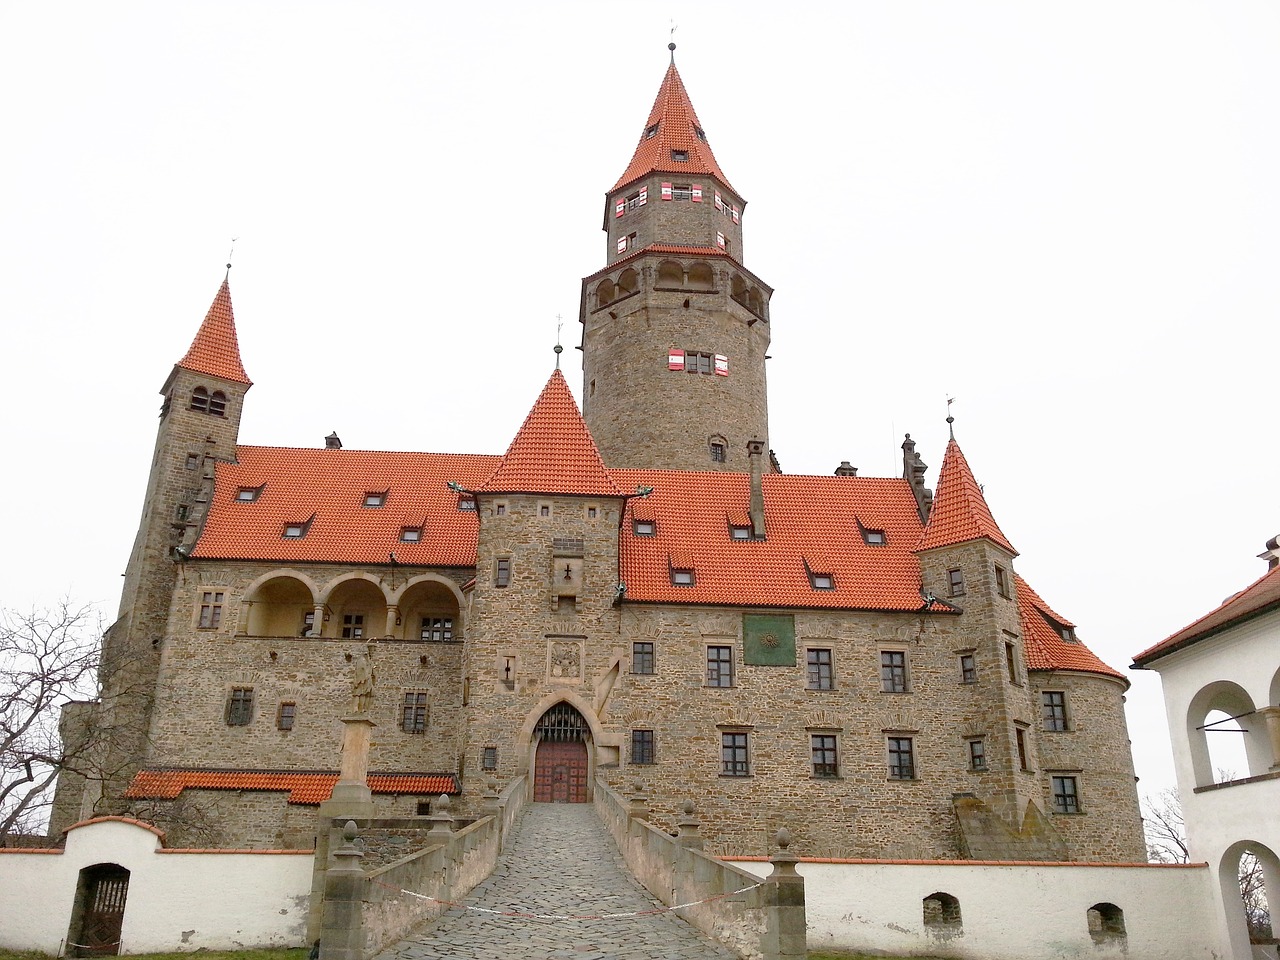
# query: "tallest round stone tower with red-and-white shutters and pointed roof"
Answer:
x=675 y=328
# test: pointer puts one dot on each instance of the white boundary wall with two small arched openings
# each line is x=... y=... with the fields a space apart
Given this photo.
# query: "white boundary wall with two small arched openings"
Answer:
x=1009 y=912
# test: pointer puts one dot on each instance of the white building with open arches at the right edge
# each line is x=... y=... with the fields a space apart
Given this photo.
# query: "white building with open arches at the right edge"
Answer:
x=1222 y=676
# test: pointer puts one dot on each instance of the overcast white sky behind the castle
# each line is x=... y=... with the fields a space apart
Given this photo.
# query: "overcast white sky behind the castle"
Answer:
x=1066 y=216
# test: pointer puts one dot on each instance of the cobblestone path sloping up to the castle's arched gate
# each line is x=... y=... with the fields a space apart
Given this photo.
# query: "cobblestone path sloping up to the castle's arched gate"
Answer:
x=563 y=862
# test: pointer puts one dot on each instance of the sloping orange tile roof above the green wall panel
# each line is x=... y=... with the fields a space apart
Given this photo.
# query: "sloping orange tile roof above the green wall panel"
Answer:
x=693 y=514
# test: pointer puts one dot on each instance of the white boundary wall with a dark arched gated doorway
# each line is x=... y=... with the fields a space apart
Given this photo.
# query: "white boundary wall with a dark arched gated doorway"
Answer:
x=177 y=899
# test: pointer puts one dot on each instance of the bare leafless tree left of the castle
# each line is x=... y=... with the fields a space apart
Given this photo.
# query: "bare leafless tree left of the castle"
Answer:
x=48 y=659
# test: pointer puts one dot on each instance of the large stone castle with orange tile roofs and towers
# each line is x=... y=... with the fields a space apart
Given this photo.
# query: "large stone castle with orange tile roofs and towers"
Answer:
x=633 y=592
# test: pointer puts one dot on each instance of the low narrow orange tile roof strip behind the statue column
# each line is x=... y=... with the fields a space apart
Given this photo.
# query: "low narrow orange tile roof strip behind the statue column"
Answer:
x=305 y=788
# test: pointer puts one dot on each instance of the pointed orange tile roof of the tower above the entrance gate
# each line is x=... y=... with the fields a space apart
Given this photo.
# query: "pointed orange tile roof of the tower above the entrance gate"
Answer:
x=554 y=452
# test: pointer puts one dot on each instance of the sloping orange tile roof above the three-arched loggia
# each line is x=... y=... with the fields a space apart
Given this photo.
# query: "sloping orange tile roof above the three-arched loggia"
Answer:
x=330 y=487
